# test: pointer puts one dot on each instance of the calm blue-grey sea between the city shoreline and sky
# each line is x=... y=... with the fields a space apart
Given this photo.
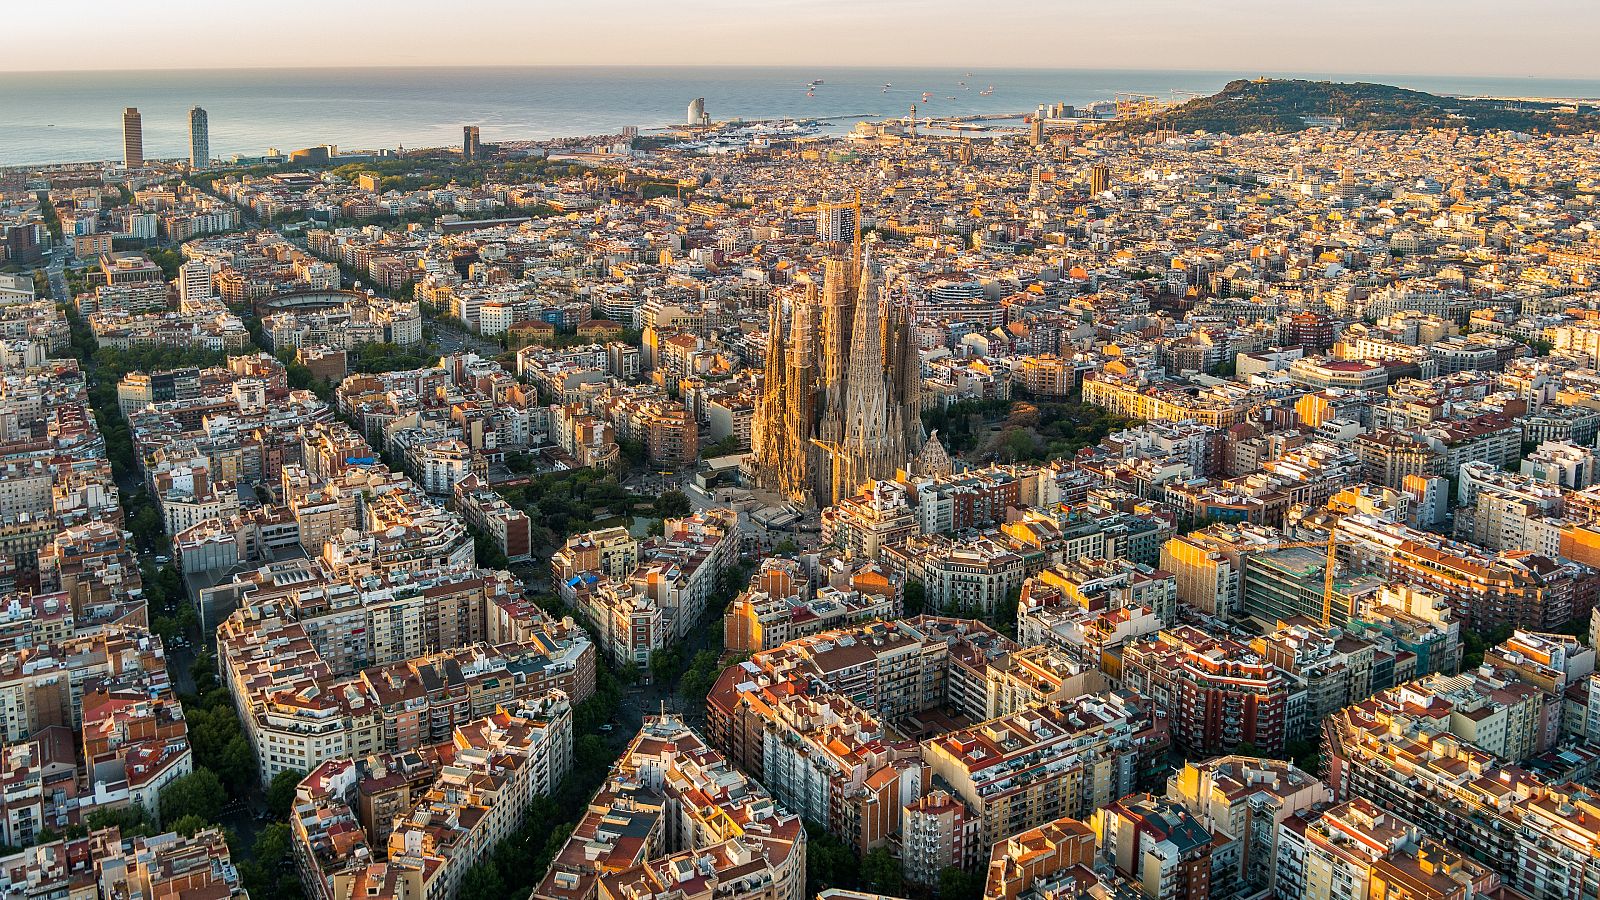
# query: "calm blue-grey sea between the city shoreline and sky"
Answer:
x=78 y=116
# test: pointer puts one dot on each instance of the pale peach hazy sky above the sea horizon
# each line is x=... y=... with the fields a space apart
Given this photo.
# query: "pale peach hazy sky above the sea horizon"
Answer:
x=1422 y=38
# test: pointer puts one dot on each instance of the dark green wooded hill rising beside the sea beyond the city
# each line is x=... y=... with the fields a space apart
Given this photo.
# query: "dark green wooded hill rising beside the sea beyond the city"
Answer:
x=1278 y=105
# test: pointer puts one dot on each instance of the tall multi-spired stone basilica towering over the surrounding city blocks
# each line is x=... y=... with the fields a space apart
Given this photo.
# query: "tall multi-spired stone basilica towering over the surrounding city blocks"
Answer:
x=842 y=396
